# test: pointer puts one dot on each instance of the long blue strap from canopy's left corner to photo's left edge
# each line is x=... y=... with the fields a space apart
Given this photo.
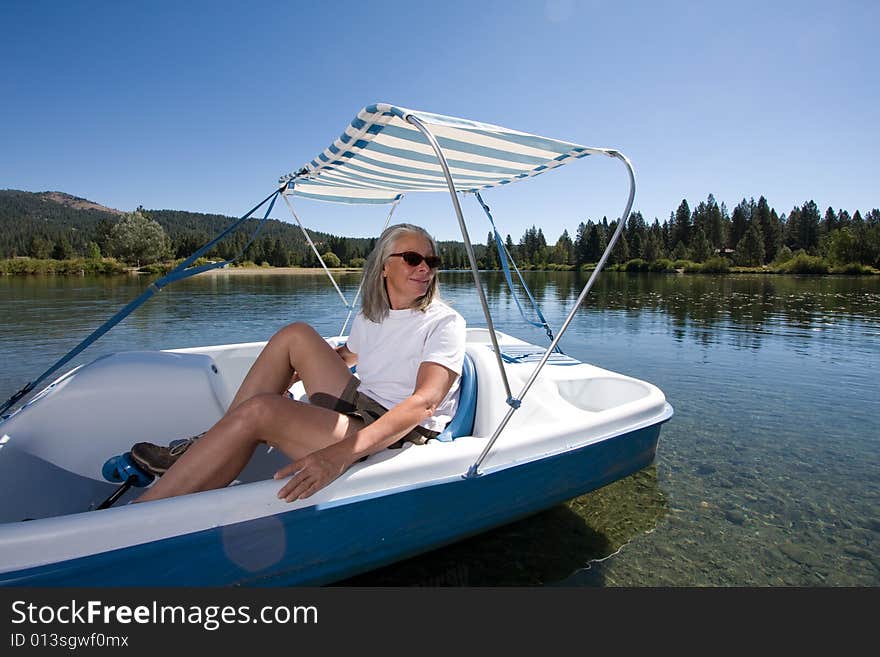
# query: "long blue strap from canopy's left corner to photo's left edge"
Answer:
x=178 y=273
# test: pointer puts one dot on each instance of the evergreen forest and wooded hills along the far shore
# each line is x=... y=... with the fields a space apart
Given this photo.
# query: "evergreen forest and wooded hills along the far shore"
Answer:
x=54 y=226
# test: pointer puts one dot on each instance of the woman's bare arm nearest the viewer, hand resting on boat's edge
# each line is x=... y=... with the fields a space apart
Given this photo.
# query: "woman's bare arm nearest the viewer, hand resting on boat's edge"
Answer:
x=318 y=469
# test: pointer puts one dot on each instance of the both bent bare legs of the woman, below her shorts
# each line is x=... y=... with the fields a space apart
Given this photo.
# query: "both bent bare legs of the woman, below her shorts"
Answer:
x=259 y=413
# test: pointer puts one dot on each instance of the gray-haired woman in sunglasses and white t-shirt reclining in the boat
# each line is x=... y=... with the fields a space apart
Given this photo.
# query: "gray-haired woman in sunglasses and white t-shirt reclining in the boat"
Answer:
x=409 y=348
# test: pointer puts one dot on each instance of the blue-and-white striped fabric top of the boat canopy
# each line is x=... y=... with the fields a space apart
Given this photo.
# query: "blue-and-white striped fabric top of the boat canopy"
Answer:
x=381 y=156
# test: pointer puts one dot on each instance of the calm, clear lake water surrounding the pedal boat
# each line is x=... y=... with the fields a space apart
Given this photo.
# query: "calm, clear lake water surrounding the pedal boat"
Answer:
x=767 y=475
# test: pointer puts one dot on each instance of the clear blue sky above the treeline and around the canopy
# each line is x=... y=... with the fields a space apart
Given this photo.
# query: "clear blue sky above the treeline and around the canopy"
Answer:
x=201 y=106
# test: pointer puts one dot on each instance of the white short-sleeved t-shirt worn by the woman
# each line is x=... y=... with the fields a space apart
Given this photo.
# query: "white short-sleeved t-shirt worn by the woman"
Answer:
x=390 y=352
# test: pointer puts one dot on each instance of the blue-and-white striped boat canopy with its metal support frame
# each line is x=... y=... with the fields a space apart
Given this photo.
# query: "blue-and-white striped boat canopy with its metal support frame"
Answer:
x=387 y=151
